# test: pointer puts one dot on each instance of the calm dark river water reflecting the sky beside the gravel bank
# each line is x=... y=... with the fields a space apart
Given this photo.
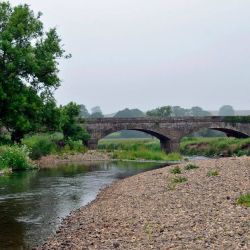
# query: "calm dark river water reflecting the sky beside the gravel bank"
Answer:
x=33 y=203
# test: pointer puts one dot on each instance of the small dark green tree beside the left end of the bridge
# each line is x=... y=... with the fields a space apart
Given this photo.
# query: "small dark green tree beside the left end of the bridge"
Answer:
x=69 y=123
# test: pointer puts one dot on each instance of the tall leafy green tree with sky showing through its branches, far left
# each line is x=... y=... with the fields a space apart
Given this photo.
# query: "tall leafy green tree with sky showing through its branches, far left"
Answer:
x=28 y=69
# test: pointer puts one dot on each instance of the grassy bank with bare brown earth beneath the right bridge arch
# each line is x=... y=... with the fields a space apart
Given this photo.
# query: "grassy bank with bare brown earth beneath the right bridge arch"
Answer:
x=215 y=146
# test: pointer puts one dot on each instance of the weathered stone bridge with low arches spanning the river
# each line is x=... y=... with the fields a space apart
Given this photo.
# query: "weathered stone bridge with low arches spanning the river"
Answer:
x=168 y=130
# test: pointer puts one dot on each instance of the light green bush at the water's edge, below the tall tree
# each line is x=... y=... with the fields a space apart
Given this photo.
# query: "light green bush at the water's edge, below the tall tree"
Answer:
x=14 y=157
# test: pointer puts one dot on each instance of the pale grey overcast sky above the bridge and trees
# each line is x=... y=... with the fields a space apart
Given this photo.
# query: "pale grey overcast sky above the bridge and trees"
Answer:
x=148 y=53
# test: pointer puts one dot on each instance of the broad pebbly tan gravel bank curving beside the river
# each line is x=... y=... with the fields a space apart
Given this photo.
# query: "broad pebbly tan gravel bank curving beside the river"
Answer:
x=147 y=211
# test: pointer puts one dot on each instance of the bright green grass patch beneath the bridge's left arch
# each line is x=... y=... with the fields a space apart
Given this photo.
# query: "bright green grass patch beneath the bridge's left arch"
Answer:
x=146 y=149
